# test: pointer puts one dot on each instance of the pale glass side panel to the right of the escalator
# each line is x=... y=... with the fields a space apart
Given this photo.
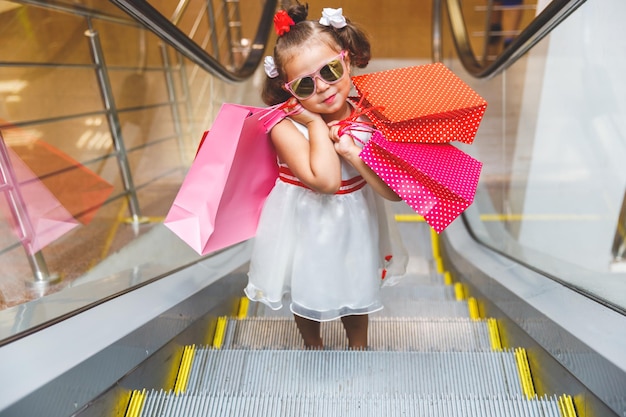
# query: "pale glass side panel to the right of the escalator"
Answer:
x=553 y=143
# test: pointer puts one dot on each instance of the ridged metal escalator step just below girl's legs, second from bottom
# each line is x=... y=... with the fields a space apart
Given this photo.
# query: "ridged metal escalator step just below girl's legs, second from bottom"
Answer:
x=354 y=372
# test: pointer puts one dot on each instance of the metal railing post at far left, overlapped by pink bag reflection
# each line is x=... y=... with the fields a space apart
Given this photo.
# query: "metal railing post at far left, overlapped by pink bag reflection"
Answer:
x=19 y=211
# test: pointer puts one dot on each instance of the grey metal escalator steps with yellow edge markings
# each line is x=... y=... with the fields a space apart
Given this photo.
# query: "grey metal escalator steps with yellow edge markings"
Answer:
x=430 y=354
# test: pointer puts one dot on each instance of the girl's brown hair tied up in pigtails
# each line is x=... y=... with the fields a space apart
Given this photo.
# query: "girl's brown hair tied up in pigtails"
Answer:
x=349 y=38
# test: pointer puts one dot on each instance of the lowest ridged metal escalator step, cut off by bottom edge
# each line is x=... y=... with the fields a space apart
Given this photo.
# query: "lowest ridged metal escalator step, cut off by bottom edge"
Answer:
x=341 y=405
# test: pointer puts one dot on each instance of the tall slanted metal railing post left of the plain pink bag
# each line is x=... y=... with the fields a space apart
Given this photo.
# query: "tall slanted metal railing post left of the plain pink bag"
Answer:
x=114 y=123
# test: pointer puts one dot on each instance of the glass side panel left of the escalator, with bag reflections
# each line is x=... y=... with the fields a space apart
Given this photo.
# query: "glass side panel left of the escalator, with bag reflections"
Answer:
x=101 y=130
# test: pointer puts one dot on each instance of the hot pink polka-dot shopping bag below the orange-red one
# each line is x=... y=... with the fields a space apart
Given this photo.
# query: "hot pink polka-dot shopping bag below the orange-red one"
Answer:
x=438 y=181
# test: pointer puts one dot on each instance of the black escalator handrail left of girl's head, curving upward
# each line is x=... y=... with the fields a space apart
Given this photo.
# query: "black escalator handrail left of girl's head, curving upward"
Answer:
x=160 y=25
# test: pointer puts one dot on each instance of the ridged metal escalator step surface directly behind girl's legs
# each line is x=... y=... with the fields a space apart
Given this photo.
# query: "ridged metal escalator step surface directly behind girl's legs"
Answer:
x=409 y=334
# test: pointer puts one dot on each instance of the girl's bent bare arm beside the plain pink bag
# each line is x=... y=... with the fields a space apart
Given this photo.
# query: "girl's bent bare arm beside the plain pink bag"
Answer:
x=313 y=161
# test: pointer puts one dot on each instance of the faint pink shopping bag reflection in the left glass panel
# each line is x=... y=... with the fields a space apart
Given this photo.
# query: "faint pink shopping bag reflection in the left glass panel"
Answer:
x=36 y=217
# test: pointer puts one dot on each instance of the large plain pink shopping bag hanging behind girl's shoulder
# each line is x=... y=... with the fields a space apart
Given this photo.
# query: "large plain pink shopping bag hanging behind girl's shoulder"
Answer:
x=220 y=200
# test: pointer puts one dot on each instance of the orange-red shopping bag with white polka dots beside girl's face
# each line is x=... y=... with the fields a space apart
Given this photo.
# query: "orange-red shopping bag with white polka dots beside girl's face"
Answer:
x=424 y=103
